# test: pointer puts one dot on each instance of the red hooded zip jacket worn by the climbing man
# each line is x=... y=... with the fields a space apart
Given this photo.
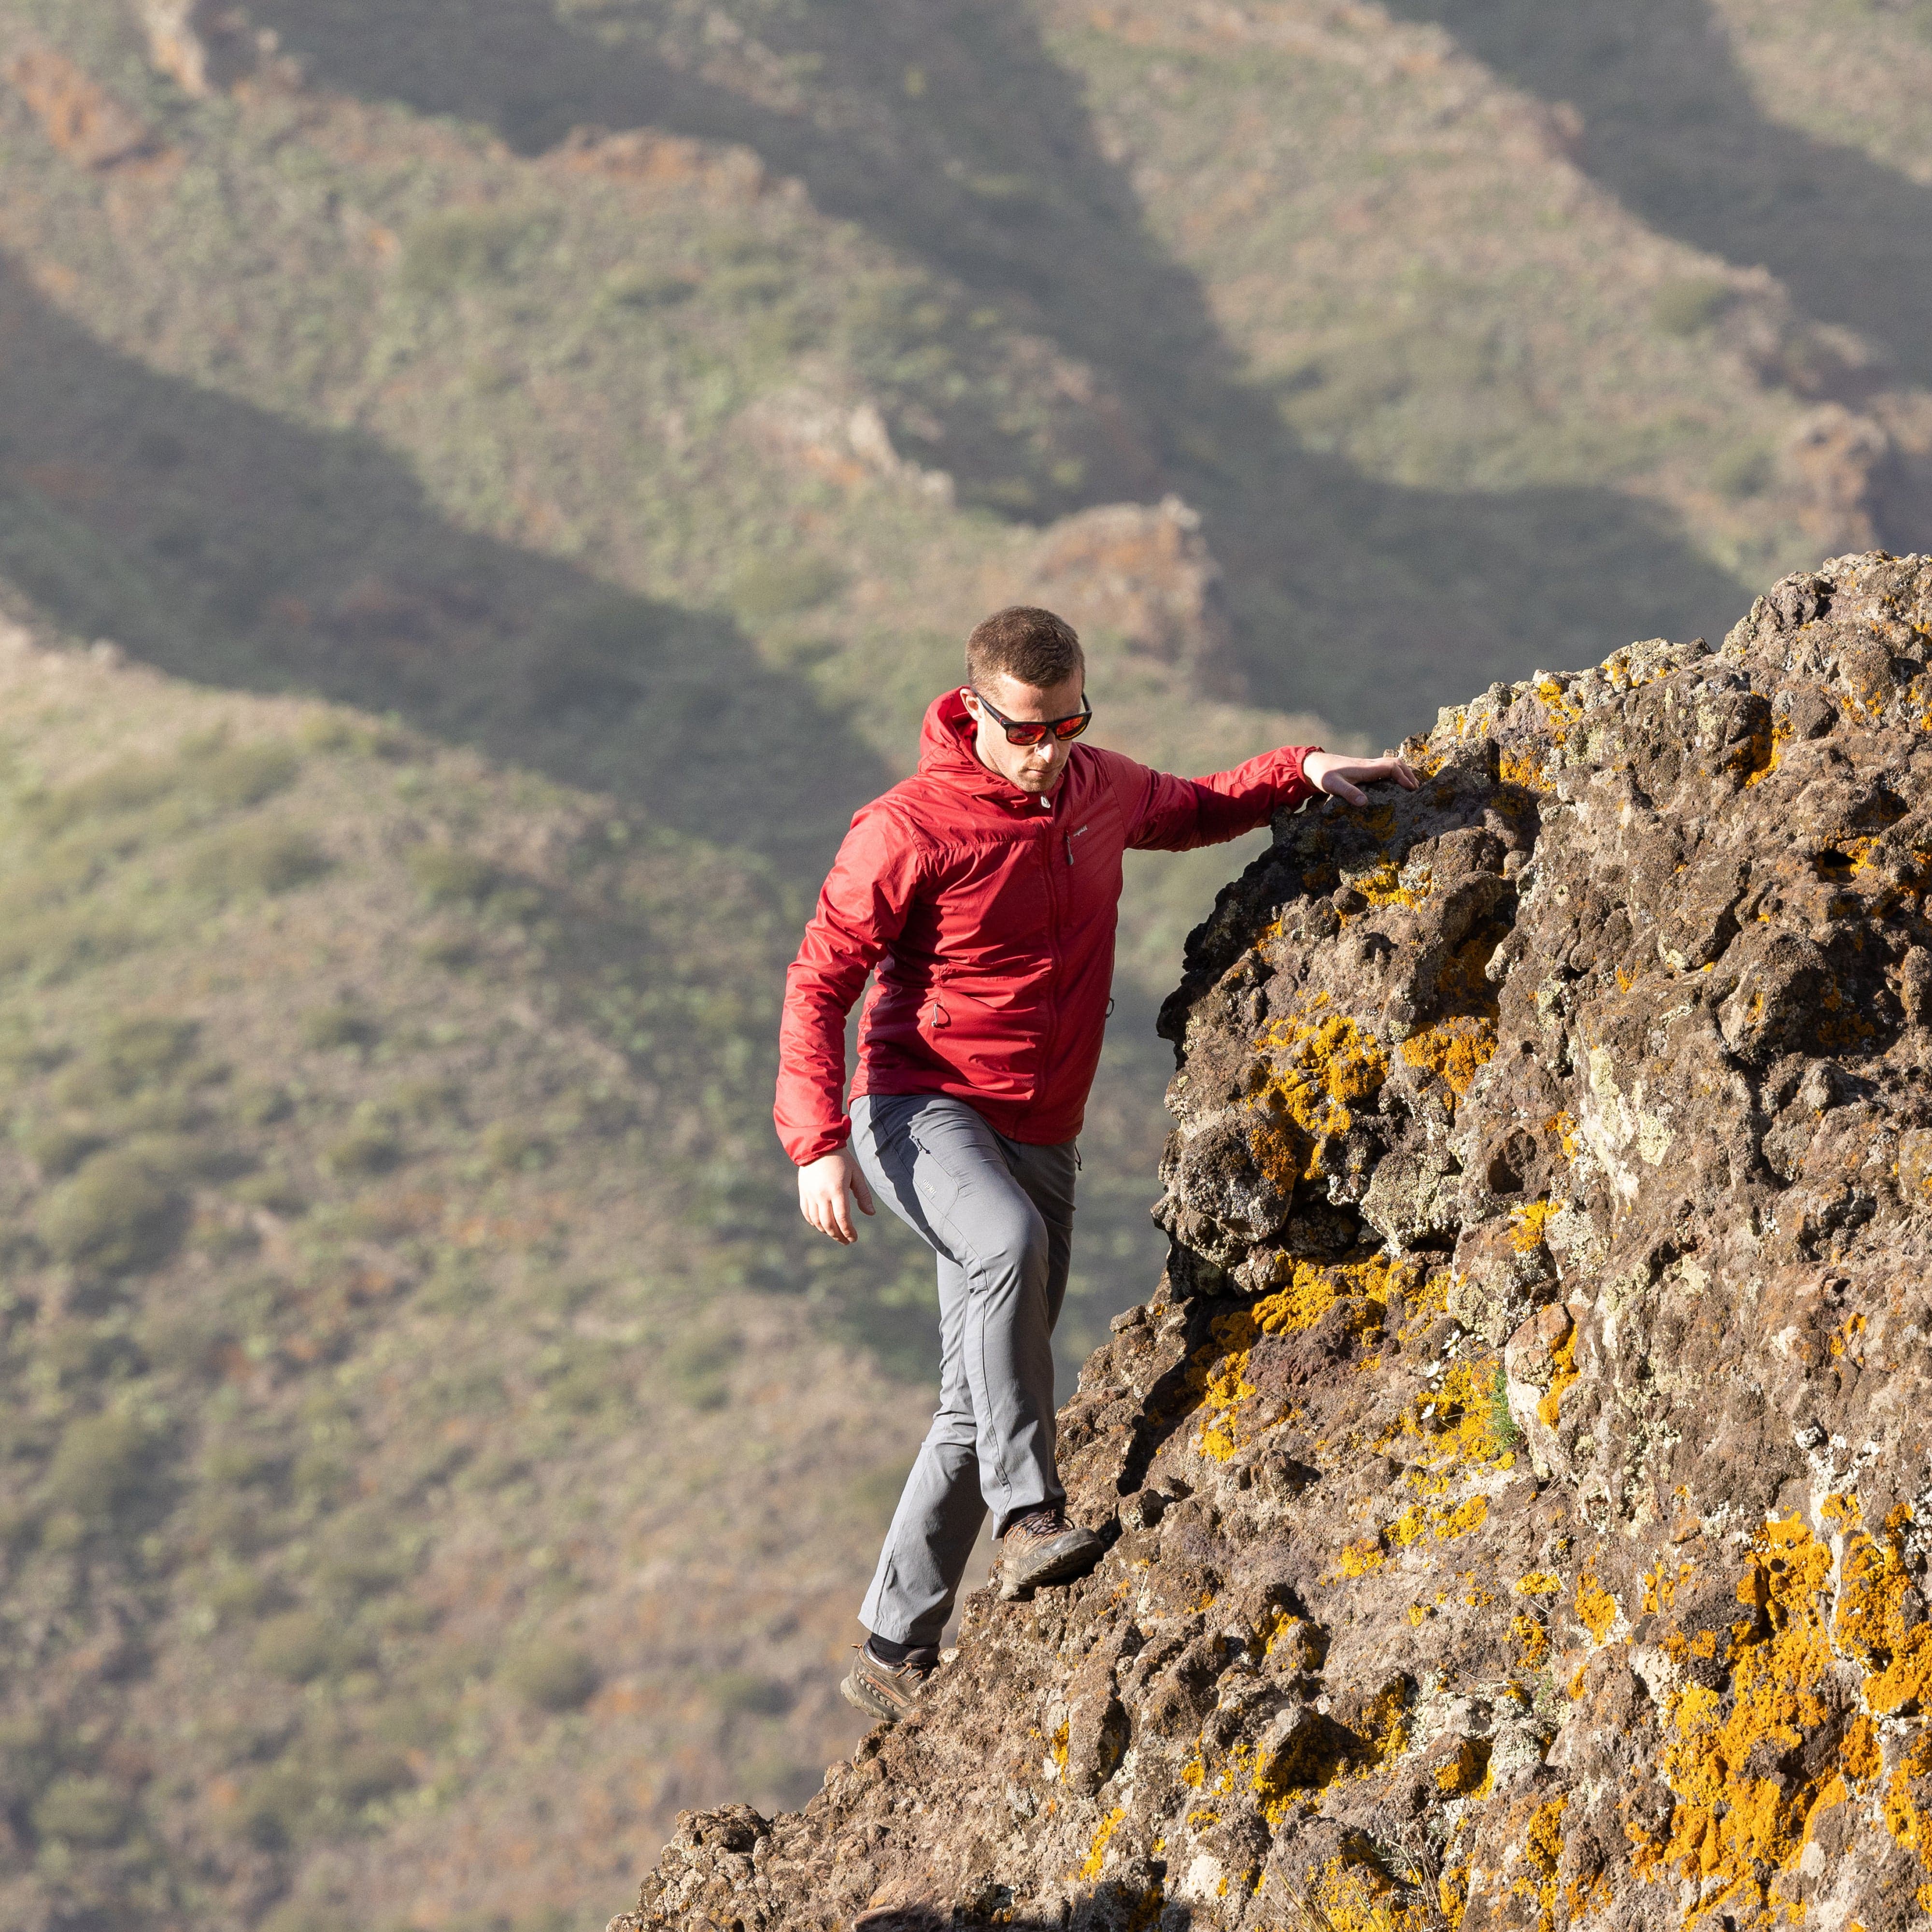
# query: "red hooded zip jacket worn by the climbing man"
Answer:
x=988 y=915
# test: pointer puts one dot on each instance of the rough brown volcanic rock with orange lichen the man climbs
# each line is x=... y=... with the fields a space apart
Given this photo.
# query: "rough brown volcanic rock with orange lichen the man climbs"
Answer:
x=1518 y=1492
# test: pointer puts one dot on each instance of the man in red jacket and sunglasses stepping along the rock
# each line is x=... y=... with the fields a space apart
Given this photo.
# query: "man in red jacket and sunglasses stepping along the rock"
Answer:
x=982 y=895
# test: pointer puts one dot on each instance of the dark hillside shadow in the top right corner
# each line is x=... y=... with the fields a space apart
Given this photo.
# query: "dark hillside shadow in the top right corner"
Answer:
x=1672 y=128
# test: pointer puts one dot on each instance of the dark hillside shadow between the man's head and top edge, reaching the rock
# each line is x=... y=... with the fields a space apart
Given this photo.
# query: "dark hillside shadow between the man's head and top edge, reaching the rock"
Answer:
x=963 y=144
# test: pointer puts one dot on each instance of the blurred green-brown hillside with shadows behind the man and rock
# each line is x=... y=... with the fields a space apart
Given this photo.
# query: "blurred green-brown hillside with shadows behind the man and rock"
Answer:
x=486 y=490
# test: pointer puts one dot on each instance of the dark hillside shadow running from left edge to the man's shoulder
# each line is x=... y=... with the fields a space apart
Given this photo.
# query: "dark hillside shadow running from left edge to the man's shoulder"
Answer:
x=235 y=548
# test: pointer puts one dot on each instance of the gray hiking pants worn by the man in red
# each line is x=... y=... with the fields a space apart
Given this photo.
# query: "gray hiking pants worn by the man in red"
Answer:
x=1000 y=1216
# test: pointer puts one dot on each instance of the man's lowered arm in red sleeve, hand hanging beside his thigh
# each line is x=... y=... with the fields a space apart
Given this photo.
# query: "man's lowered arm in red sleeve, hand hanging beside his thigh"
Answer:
x=861 y=913
